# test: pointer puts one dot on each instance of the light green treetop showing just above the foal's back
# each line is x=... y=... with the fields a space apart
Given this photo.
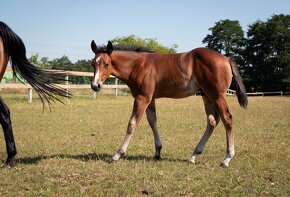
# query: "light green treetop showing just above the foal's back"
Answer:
x=149 y=43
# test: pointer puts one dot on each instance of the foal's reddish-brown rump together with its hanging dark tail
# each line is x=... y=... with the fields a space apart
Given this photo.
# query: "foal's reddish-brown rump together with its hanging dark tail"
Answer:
x=215 y=72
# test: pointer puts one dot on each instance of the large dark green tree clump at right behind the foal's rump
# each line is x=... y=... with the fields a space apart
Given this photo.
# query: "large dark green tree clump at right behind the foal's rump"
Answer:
x=263 y=57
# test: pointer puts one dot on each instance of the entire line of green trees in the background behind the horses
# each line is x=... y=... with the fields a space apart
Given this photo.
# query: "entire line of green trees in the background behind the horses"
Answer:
x=262 y=53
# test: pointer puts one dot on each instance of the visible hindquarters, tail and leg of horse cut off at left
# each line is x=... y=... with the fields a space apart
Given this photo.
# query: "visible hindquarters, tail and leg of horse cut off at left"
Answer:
x=42 y=81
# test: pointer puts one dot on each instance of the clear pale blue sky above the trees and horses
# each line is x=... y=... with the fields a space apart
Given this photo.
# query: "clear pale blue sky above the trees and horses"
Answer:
x=52 y=28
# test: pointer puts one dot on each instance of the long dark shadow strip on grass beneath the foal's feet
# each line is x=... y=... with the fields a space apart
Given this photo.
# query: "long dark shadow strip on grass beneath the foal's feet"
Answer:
x=92 y=157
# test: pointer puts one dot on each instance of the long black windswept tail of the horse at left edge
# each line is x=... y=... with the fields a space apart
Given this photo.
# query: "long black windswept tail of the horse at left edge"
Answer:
x=43 y=81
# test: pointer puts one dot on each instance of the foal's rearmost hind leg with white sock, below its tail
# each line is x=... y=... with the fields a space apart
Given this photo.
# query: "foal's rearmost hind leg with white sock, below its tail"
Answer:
x=222 y=107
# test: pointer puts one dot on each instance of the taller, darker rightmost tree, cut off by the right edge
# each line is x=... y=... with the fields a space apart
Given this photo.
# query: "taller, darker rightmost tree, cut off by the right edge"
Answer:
x=268 y=54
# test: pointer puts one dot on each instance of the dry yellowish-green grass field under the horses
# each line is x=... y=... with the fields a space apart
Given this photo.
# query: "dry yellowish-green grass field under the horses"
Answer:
x=68 y=152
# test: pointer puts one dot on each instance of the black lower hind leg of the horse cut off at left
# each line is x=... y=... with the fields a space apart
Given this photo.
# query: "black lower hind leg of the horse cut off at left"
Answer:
x=8 y=134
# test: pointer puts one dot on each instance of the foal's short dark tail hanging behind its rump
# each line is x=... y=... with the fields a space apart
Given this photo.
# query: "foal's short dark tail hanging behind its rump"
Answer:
x=238 y=84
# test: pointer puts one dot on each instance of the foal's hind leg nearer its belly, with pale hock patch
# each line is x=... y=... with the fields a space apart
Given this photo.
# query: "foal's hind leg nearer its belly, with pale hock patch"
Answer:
x=212 y=121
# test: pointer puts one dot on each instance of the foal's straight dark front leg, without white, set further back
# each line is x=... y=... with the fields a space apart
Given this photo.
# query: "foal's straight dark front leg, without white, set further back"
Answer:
x=151 y=117
